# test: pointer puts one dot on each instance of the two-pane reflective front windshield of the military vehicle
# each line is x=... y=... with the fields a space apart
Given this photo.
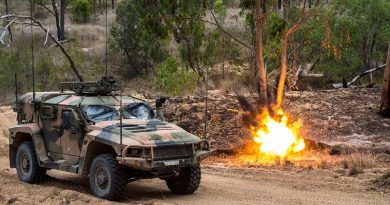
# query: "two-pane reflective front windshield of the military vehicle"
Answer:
x=98 y=113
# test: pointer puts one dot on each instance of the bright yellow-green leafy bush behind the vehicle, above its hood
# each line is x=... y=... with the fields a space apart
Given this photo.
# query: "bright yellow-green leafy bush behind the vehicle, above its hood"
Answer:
x=175 y=80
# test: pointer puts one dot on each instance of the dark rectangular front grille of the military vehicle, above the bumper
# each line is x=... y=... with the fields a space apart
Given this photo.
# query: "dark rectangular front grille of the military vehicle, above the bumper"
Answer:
x=172 y=152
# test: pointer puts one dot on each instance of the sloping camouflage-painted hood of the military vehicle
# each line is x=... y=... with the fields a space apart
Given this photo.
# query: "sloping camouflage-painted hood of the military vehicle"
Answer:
x=140 y=133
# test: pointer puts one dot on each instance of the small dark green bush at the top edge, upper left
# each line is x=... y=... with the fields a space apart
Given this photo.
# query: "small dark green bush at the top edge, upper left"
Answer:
x=82 y=11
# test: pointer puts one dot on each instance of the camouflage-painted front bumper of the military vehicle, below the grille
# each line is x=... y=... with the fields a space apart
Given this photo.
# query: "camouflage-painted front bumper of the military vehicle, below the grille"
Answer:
x=149 y=165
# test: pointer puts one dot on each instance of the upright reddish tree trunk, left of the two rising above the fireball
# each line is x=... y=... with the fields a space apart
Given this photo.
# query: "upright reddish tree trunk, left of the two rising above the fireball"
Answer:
x=259 y=54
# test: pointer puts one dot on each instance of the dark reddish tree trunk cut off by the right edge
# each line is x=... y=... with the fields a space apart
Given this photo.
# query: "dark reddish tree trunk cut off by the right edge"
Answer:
x=385 y=99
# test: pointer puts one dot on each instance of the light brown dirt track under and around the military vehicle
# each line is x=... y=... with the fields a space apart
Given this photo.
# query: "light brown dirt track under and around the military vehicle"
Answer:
x=220 y=185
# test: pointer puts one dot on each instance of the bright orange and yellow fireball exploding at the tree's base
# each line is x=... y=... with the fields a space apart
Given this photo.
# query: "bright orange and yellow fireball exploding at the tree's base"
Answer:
x=277 y=137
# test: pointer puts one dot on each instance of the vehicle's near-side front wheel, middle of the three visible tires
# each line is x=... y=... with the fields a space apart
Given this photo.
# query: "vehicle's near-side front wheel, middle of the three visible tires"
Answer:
x=107 y=178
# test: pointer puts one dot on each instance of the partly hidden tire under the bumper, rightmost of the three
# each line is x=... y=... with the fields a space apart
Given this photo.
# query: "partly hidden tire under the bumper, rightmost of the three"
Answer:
x=186 y=182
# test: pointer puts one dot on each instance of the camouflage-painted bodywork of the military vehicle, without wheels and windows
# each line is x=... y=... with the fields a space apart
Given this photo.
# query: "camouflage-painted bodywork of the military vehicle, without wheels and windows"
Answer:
x=67 y=148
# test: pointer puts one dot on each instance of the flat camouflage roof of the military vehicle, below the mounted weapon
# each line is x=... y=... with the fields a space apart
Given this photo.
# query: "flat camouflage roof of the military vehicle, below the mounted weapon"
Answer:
x=70 y=98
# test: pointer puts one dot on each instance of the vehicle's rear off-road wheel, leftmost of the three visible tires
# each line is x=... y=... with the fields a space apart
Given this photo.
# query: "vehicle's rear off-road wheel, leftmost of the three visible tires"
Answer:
x=27 y=166
